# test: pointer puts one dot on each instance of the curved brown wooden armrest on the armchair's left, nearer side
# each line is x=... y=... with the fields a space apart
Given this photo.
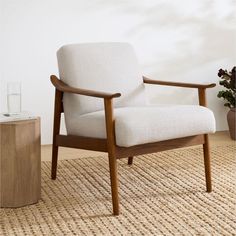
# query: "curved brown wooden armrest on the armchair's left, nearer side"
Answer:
x=61 y=86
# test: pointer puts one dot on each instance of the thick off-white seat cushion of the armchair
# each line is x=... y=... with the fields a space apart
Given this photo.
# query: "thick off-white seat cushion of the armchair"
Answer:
x=140 y=125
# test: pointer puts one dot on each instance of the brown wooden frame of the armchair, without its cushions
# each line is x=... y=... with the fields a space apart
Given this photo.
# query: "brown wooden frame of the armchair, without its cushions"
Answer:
x=109 y=144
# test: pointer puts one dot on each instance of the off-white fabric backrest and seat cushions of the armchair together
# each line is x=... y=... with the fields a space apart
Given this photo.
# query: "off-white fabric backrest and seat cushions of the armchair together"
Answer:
x=113 y=67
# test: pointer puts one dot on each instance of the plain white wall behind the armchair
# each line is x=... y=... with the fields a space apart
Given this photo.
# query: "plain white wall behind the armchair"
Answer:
x=182 y=40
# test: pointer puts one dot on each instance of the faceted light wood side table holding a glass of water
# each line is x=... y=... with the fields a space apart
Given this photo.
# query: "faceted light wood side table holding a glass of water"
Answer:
x=20 y=163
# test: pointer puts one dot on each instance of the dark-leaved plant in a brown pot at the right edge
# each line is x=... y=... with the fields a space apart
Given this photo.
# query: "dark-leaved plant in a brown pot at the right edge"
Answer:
x=228 y=80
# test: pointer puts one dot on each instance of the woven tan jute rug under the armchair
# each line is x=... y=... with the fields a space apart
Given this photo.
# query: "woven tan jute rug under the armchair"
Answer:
x=161 y=194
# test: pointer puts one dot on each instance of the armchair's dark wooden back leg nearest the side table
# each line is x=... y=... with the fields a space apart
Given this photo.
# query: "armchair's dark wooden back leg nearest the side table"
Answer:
x=58 y=109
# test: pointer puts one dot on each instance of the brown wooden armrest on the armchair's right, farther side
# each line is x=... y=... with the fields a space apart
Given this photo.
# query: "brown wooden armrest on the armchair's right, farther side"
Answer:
x=177 y=84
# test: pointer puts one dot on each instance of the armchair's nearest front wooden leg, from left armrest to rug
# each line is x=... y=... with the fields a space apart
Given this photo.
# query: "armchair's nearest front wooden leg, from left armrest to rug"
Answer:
x=110 y=130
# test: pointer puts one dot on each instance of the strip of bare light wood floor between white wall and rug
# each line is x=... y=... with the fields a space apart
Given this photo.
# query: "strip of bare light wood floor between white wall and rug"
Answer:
x=219 y=138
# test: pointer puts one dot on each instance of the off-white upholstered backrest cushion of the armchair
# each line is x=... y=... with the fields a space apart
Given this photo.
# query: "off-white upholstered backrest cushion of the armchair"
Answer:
x=107 y=67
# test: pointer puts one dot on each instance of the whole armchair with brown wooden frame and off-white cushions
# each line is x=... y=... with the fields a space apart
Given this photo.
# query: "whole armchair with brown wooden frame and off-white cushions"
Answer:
x=102 y=95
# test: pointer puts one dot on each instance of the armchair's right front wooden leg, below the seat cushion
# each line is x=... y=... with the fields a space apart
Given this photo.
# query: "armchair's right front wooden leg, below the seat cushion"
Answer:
x=206 y=150
